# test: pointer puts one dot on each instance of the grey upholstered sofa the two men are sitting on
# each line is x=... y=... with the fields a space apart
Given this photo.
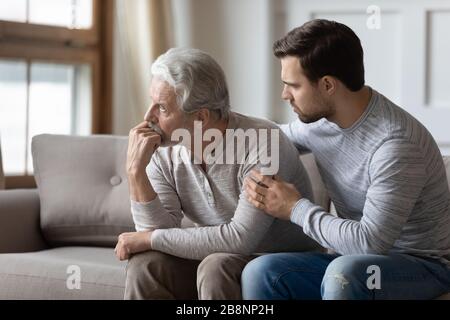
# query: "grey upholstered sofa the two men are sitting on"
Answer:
x=56 y=241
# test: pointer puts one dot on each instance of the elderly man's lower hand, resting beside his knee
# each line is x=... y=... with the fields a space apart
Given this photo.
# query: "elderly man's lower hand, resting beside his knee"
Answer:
x=132 y=242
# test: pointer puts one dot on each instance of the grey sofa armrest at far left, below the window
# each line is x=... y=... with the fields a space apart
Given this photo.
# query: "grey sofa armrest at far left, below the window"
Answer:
x=20 y=221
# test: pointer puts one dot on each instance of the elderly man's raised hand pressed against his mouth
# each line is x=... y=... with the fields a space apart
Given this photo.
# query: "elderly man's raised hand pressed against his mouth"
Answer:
x=142 y=143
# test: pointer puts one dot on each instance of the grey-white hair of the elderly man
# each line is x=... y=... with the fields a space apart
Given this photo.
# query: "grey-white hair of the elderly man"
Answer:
x=198 y=80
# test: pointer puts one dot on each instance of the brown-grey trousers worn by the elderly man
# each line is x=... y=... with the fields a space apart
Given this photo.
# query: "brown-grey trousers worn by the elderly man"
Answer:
x=156 y=275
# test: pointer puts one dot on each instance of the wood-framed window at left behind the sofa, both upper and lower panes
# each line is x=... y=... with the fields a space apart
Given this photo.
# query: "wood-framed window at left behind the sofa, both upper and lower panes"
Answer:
x=55 y=75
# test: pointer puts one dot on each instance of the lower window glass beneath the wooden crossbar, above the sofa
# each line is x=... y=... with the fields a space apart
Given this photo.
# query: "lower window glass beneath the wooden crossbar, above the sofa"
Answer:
x=27 y=109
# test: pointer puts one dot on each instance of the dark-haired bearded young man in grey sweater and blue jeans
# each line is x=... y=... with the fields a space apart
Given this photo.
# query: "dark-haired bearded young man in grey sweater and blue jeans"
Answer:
x=383 y=171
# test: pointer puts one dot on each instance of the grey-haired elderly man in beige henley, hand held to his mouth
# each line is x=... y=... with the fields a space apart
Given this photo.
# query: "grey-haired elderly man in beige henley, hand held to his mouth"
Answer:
x=169 y=181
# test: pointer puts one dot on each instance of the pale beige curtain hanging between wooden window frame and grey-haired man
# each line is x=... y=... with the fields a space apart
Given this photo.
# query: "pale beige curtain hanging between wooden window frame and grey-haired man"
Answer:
x=143 y=31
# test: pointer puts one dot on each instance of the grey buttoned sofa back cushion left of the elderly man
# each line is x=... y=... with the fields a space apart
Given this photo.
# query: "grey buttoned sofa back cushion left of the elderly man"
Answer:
x=82 y=188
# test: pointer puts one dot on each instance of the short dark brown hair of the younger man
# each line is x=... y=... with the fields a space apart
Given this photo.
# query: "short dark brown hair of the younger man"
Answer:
x=325 y=48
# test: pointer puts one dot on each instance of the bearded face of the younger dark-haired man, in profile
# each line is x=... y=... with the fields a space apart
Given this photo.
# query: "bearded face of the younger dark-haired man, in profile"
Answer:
x=305 y=97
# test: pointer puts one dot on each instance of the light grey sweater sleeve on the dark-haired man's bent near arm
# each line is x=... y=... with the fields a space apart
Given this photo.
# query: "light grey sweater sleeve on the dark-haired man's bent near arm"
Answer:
x=397 y=176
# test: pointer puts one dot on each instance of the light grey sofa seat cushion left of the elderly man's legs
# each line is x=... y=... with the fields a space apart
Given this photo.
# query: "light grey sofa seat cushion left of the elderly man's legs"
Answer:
x=50 y=274
